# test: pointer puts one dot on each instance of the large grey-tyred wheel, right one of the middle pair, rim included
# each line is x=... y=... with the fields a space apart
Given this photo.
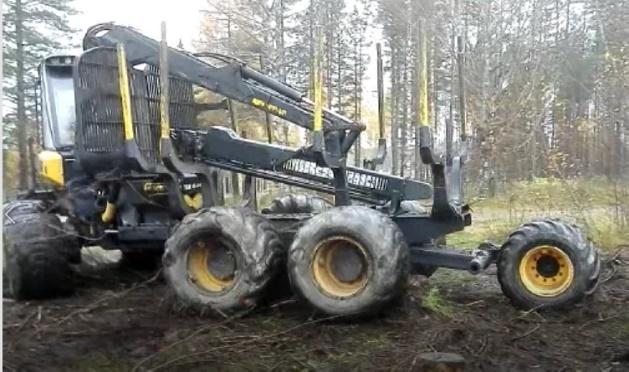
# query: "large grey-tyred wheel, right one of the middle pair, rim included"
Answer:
x=349 y=260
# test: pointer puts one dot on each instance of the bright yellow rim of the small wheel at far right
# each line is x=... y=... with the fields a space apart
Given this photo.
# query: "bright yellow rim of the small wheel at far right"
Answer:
x=546 y=271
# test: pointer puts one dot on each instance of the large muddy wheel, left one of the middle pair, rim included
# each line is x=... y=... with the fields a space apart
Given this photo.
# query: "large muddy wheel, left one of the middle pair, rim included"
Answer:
x=221 y=258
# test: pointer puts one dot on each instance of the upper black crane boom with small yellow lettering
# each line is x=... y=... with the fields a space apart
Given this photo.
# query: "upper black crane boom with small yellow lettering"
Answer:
x=234 y=80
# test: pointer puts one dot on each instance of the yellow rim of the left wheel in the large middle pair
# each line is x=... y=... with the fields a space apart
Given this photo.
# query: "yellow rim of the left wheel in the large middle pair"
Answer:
x=211 y=266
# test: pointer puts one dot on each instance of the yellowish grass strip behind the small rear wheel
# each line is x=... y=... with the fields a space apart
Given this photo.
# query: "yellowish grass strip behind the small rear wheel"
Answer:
x=596 y=205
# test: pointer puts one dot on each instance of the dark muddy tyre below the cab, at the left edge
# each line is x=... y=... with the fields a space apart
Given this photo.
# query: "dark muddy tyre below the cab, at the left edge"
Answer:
x=36 y=254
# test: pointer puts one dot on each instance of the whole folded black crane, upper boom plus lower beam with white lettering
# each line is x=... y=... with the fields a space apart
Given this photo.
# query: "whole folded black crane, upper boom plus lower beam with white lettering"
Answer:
x=316 y=167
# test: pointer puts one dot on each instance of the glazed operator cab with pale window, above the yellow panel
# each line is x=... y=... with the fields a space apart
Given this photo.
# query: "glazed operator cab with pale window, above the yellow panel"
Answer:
x=57 y=102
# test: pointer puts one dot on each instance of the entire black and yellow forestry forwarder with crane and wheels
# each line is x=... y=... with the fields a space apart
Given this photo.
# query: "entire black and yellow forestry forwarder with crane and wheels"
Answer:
x=129 y=172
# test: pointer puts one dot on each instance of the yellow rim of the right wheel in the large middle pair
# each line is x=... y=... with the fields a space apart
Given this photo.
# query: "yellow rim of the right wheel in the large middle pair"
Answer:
x=340 y=267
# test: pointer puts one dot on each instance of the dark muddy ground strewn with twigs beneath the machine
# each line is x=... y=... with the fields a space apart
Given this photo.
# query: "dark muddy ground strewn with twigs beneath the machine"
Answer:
x=116 y=324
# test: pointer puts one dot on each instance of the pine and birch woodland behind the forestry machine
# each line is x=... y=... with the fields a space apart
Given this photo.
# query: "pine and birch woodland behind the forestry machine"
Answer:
x=546 y=82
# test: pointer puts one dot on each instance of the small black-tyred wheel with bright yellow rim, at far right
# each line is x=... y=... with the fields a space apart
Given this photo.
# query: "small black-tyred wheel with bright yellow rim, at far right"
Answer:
x=547 y=264
